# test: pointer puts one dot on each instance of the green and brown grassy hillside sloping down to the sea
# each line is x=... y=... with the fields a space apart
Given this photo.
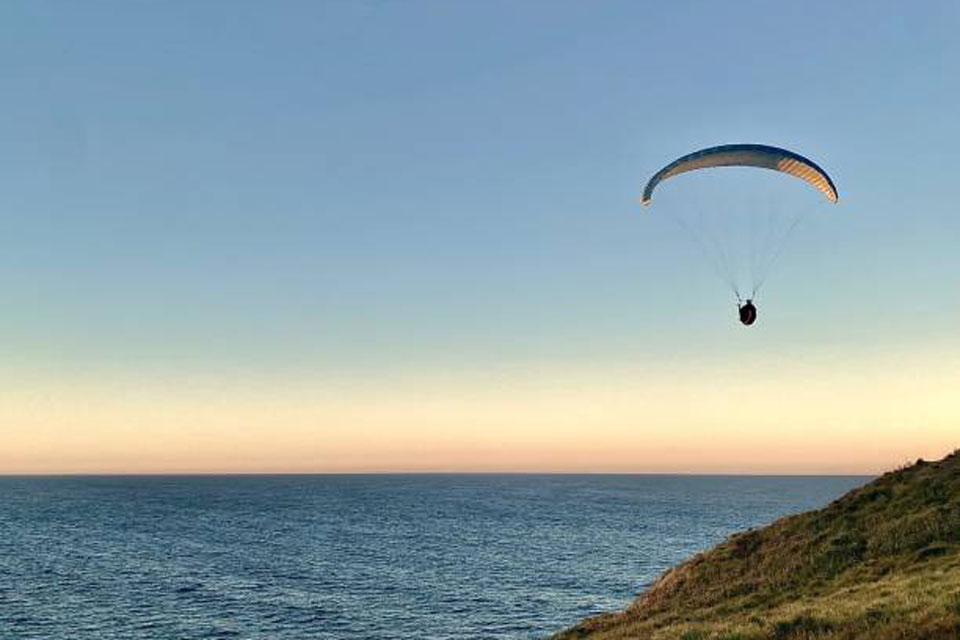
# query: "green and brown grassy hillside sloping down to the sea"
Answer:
x=882 y=562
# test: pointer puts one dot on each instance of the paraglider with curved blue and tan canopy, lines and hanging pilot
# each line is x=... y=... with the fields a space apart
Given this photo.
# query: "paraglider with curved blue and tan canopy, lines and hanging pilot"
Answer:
x=765 y=239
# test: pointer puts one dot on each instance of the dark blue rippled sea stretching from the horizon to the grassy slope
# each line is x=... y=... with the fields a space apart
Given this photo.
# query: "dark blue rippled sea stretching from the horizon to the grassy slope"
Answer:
x=356 y=557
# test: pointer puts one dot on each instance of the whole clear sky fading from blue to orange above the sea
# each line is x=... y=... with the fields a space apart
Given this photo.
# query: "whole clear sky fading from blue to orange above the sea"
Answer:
x=405 y=236
